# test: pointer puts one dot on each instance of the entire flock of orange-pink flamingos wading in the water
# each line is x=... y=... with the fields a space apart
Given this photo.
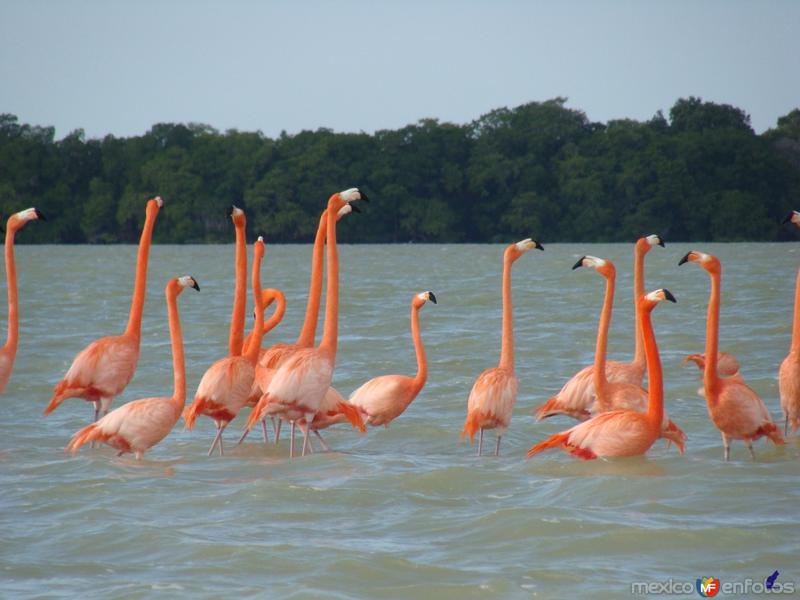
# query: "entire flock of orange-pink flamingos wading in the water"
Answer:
x=292 y=382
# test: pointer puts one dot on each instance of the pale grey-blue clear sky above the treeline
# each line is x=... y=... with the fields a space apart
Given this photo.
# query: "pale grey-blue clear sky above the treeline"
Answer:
x=118 y=67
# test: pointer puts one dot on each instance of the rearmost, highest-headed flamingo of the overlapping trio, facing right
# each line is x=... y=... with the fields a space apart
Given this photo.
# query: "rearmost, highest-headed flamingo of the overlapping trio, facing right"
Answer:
x=577 y=395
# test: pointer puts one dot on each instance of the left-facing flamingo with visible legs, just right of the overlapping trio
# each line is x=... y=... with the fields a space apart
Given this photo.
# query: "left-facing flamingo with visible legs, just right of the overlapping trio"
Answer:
x=735 y=409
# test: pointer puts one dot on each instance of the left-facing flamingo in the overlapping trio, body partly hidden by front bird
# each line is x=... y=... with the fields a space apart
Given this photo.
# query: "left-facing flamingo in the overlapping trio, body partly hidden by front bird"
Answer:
x=618 y=395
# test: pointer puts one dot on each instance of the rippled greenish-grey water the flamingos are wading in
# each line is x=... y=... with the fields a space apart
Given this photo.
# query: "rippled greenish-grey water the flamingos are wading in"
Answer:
x=406 y=511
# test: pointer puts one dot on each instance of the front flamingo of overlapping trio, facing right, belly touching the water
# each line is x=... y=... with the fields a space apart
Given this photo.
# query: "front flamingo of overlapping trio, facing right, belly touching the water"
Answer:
x=621 y=432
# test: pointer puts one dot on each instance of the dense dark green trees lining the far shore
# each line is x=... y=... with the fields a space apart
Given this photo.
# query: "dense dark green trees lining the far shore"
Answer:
x=539 y=169
